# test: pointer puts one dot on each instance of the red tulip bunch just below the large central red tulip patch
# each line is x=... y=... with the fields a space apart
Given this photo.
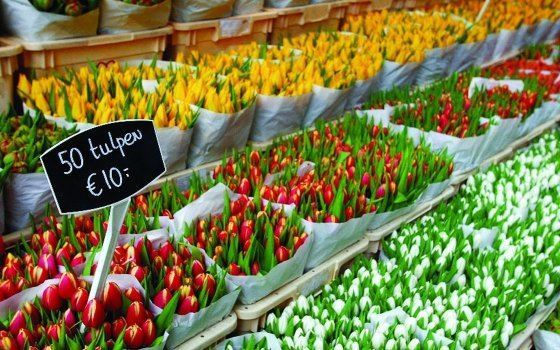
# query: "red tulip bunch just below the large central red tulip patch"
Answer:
x=249 y=237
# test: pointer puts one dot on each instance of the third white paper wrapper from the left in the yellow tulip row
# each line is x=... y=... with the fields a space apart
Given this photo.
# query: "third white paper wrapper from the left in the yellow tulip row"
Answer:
x=278 y=115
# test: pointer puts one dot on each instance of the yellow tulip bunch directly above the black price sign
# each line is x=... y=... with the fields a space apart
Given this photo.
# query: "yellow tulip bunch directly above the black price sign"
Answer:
x=104 y=94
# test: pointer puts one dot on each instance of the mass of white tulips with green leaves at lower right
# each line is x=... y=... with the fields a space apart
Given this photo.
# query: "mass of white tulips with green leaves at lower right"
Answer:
x=469 y=275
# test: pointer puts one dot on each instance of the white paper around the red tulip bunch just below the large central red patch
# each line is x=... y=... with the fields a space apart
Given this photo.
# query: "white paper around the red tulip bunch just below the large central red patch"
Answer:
x=253 y=288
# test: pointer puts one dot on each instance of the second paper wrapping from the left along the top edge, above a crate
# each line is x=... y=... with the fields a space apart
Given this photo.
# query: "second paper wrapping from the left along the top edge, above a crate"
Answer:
x=117 y=16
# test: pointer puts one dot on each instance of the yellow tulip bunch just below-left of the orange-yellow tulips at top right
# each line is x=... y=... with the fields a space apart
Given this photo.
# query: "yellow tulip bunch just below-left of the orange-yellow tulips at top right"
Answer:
x=405 y=36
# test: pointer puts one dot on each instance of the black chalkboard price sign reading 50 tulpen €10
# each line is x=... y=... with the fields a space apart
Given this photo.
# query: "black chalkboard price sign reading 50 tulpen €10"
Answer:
x=103 y=165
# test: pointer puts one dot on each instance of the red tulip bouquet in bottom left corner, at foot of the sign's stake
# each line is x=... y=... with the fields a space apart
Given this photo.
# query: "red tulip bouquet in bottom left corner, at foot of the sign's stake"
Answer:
x=50 y=317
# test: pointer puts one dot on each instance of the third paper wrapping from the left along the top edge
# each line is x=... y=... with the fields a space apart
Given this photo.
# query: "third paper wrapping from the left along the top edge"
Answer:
x=200 y=10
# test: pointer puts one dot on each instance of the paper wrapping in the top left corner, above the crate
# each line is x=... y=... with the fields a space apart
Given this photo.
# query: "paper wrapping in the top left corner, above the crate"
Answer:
x=22 y=19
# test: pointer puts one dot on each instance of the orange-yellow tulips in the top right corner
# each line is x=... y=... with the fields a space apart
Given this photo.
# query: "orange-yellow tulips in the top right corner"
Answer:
x=508 y=15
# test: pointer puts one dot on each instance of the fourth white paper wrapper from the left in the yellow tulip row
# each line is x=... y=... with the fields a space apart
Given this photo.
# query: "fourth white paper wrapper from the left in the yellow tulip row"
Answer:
x=325 y=104
